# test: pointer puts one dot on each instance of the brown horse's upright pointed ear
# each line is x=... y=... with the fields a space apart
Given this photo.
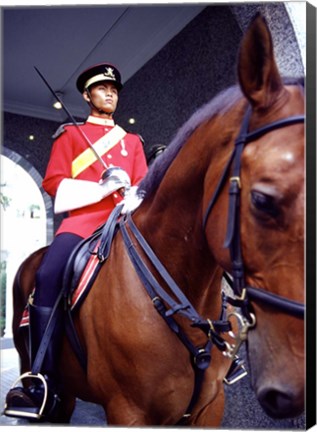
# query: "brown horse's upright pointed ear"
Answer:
x=259 y=77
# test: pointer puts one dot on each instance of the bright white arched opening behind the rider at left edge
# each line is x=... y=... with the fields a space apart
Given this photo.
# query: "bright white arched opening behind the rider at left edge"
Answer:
x=26 y=223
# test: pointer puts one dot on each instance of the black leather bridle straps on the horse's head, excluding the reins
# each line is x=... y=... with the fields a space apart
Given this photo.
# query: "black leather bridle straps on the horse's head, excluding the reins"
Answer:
x=243 y=293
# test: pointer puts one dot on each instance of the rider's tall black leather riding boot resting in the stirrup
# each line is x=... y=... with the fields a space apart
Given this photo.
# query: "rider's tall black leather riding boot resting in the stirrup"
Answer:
x=40 y=401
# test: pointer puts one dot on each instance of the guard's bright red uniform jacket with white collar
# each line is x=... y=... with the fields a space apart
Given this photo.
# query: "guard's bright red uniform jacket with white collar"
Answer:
x=70 y=144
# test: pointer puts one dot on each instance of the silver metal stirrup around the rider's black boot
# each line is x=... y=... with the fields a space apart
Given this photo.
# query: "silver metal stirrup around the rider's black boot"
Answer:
x=28 y=412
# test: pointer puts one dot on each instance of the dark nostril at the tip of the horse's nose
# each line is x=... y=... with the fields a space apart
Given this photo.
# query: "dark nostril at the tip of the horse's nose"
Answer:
x=276 y=404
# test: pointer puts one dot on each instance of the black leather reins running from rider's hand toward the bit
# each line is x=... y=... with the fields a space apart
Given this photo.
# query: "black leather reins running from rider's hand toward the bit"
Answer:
x=201 y=355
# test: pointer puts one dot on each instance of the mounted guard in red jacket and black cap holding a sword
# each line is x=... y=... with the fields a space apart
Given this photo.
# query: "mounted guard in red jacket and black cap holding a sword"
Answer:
x=91 y=167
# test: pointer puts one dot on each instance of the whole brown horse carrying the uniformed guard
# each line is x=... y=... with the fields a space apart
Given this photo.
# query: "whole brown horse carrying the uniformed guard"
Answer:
x=137 y=368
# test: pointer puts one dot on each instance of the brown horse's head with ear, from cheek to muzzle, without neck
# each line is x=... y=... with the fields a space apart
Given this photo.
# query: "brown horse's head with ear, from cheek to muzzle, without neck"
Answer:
x=271 y=195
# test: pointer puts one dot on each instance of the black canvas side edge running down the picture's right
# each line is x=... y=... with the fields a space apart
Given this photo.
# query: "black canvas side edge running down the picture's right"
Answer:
x=310 y=216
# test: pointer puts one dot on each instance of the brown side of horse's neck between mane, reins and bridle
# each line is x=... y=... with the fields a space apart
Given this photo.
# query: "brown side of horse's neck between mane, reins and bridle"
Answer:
x=171 y=221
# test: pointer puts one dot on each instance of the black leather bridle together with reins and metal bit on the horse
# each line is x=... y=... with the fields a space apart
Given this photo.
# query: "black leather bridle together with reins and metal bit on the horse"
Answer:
x=177 y=304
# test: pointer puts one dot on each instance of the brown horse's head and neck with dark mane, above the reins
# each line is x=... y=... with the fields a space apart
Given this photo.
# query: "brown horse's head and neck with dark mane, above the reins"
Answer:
x=271 y=226
